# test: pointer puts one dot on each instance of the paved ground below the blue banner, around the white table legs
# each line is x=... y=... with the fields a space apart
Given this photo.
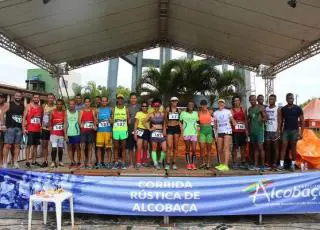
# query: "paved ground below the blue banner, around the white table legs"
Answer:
x=17 y=220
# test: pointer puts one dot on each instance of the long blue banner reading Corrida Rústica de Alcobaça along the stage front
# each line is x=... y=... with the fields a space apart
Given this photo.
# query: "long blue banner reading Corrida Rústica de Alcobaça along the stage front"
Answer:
x=178 y=196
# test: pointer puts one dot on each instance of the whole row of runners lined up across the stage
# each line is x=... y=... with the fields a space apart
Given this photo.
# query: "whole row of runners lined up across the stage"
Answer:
x=133 y=135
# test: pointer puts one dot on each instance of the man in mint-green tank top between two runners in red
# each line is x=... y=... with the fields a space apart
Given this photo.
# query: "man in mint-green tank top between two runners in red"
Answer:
x=72 y=134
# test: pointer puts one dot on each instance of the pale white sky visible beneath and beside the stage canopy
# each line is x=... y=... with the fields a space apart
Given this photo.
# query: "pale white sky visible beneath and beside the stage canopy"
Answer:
x=302 y=79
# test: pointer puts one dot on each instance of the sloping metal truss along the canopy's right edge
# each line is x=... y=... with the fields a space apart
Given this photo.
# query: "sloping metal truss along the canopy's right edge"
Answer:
x=294 y=59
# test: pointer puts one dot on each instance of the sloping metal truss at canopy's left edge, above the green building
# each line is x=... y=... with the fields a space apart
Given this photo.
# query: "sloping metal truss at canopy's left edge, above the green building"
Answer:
x=27 y=54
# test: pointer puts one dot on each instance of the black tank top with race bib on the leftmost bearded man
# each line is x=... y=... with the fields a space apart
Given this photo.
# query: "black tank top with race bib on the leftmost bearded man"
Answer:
x=14 y=115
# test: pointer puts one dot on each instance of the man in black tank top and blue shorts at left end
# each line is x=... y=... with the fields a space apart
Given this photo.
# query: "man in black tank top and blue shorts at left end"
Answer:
x=13 y=134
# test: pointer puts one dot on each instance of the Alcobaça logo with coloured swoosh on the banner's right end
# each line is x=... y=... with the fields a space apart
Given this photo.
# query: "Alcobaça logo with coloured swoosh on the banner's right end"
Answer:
x=266 y=191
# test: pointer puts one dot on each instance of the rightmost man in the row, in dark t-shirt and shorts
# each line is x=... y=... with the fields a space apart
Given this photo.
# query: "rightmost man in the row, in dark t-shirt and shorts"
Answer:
x=292 y=126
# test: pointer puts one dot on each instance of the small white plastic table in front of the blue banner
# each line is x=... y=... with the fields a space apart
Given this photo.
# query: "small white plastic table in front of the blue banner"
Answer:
x=57 y=199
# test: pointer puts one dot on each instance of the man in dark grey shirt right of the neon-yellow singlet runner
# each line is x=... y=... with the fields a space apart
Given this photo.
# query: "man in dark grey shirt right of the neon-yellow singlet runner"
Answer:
x=133 y=108
